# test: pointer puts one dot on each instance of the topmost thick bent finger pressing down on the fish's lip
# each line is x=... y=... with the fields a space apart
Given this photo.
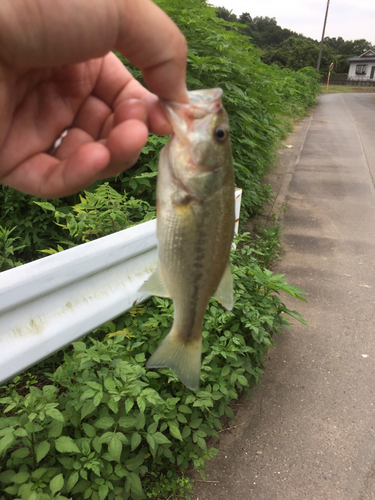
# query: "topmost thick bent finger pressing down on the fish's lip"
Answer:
x=35 y=34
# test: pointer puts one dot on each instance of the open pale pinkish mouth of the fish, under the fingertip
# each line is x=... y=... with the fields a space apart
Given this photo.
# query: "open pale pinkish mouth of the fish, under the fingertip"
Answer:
x=202 y=103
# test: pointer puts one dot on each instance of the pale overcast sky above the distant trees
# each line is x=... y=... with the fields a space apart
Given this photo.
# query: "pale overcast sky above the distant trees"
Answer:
x=350 y=19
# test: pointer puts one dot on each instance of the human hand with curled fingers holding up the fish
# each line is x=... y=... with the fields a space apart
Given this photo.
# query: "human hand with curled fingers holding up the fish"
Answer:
x=57 y=72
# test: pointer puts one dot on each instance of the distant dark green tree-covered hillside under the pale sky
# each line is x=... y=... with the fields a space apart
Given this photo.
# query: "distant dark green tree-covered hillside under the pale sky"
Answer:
x=289 y=49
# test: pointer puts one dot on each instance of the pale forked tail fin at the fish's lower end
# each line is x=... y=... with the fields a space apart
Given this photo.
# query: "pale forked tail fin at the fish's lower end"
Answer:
x=183 y=358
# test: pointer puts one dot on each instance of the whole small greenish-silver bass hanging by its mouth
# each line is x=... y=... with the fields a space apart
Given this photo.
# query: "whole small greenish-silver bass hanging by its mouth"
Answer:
x=195 y=227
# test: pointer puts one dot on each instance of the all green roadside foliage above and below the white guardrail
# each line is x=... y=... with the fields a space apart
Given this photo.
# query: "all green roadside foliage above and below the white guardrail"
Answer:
x=91 y=421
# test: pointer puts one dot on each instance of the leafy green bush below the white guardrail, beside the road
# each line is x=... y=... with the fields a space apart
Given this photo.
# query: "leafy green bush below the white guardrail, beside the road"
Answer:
x=102 y=426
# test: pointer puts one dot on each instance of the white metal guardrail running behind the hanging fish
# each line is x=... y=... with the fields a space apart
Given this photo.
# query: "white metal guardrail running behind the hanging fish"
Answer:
x=46 y=304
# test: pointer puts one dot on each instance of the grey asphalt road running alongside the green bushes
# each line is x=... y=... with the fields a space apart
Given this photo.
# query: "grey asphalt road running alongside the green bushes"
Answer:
x=308 y=432
